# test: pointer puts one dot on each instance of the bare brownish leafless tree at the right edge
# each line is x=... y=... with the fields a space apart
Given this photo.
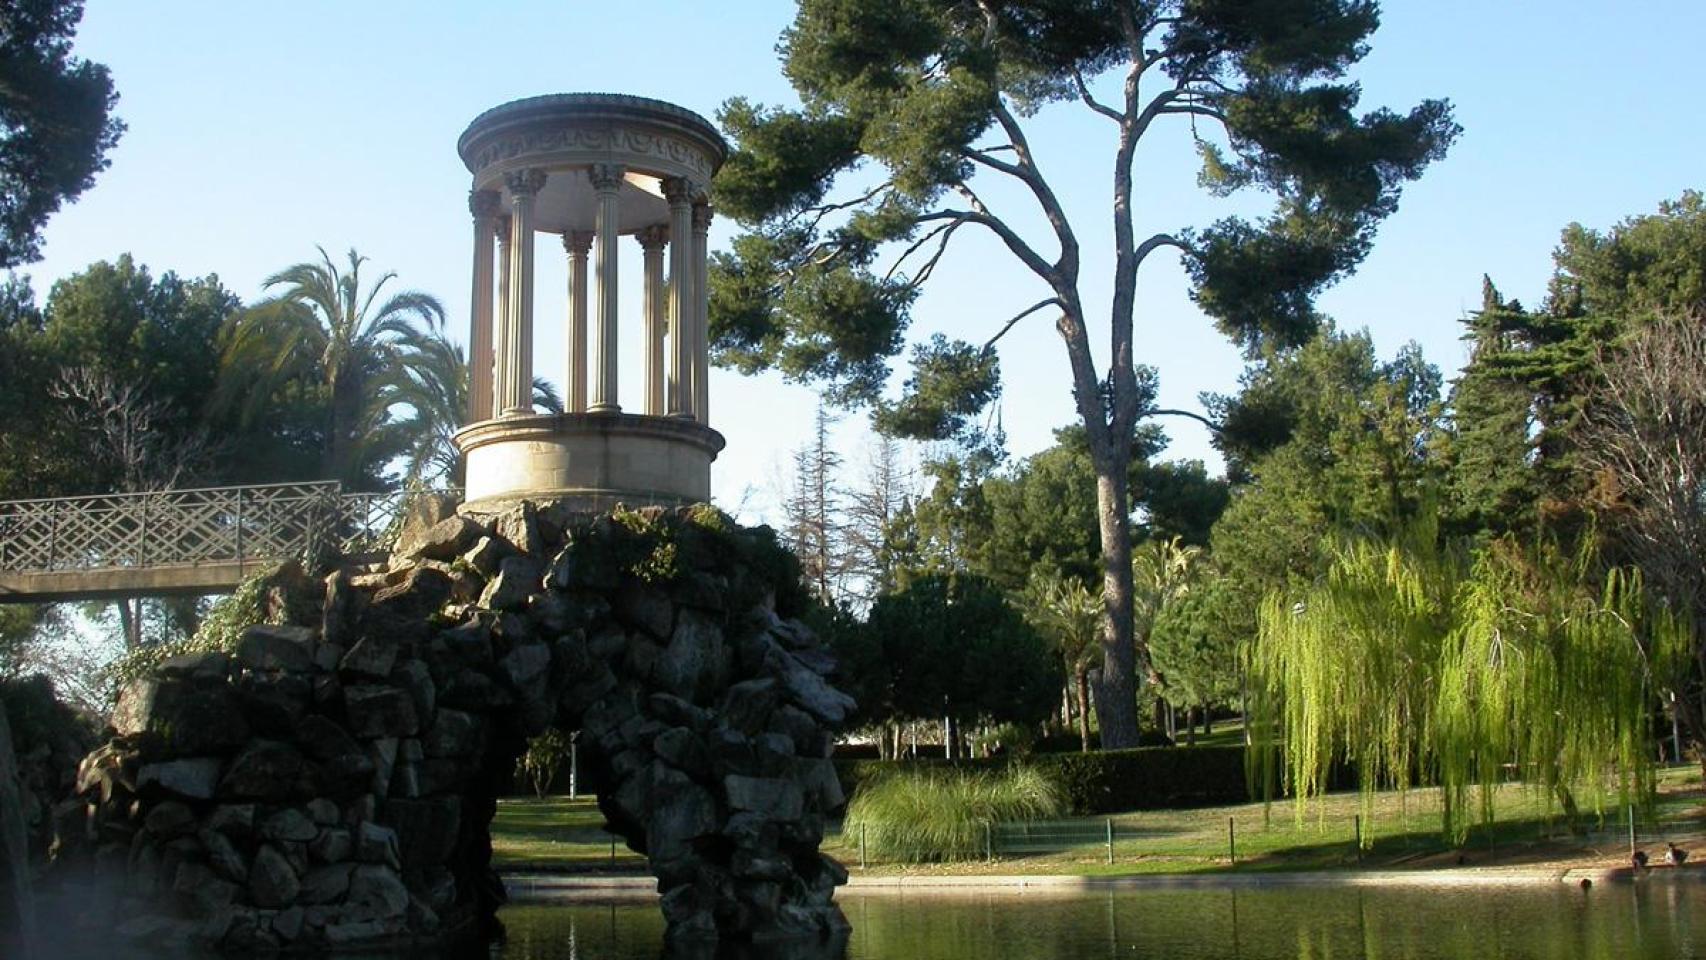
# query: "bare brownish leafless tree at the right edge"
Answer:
x=1645 y=439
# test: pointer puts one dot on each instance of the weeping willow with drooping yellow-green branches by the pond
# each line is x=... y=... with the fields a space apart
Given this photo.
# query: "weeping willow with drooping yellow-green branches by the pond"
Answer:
x=1417 y=662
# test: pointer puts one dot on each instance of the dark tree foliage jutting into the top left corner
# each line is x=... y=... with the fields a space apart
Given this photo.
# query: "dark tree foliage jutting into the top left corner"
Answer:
x=57 y=122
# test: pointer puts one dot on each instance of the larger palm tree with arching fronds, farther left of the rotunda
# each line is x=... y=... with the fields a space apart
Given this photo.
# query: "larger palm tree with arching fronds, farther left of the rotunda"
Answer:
x=325 y=328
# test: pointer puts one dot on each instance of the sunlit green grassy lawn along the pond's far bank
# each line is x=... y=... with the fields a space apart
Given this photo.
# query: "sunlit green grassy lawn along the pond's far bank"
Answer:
x=566 y=835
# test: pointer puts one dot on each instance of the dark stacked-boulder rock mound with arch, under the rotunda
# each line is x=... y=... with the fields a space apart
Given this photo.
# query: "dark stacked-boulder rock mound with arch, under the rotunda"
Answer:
x=330 y=782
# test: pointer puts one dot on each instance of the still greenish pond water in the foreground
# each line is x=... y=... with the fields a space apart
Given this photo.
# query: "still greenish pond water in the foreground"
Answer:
x=1645 y=922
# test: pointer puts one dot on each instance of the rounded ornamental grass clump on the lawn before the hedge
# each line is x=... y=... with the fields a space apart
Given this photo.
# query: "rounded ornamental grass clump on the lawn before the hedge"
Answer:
x=934 y=816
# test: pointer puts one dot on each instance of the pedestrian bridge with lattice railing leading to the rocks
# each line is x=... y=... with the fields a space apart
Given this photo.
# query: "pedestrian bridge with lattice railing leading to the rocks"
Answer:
x=182 y=541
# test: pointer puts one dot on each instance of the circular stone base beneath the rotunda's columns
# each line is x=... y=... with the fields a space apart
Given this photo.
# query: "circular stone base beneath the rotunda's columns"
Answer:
x=588 y=460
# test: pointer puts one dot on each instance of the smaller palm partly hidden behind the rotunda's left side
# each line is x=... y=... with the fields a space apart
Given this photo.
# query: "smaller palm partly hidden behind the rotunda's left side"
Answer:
x=431 y=383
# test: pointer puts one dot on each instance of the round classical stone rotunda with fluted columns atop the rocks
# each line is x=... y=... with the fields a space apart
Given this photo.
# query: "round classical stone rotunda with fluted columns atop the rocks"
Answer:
x=591 y=170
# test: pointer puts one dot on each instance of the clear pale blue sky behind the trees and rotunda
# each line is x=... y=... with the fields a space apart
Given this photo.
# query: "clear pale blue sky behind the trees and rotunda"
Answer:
x=262 y=130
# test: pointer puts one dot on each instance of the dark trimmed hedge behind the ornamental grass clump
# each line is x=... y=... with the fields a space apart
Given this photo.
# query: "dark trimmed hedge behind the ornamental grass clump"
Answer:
x=1149 y=778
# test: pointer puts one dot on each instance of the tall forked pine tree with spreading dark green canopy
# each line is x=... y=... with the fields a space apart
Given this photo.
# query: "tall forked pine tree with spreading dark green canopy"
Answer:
x=910 y=110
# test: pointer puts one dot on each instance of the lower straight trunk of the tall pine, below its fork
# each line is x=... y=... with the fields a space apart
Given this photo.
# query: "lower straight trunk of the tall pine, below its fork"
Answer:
x=1117 y=691
